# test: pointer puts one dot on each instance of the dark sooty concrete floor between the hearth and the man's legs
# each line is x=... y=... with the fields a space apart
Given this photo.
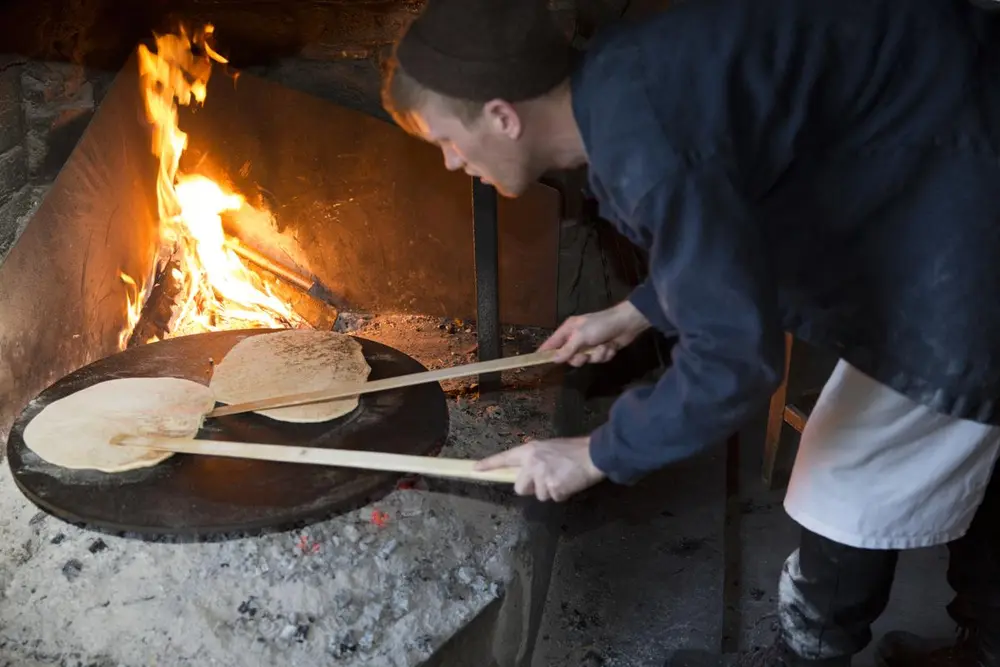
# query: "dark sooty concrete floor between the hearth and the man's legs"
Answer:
x=642 y=572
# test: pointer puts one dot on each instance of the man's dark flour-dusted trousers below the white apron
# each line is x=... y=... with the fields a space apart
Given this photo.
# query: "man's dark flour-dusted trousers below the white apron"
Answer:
x=830 y=594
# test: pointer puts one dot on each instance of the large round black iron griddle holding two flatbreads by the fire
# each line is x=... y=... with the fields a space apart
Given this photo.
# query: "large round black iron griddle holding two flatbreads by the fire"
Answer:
x=188 y=494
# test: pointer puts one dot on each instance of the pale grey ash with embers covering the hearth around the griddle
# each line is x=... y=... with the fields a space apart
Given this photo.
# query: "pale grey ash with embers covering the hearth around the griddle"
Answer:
x=385 y=585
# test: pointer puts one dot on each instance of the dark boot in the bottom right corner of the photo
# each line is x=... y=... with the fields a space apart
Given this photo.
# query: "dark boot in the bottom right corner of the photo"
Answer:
x=904 y=649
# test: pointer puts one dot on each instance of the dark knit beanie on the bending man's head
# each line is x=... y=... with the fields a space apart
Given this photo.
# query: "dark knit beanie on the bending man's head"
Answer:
x=486 y=49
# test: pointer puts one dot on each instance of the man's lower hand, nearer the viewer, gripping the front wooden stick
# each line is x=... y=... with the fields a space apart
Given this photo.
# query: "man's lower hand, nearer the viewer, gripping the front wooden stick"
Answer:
x=550 y=469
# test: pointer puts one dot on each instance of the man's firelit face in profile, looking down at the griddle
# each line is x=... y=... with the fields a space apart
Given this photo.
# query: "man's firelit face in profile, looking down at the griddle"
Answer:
x=492 y=147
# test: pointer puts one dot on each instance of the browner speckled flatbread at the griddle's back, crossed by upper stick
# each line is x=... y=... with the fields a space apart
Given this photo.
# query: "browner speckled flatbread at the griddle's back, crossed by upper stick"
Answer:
x=291 y=362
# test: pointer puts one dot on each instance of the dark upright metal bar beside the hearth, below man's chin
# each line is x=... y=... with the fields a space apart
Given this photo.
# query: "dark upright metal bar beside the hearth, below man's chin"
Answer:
x=486 y=239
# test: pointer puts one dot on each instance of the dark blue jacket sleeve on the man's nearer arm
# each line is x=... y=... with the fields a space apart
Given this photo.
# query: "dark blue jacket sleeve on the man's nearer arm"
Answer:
x=710 y=277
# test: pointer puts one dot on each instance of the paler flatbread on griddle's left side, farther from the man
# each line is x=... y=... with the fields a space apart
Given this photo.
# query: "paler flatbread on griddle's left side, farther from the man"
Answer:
x=76 y=431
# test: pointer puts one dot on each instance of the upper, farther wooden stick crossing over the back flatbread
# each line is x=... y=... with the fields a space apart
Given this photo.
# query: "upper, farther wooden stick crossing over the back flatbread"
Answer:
x=347 y=390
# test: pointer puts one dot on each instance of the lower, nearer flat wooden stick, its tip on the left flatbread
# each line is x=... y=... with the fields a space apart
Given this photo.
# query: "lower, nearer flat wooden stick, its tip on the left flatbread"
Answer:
x=344 y=458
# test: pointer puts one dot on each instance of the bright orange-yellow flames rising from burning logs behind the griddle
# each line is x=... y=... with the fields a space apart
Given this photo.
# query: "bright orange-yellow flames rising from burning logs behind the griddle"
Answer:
x=217 y=291
